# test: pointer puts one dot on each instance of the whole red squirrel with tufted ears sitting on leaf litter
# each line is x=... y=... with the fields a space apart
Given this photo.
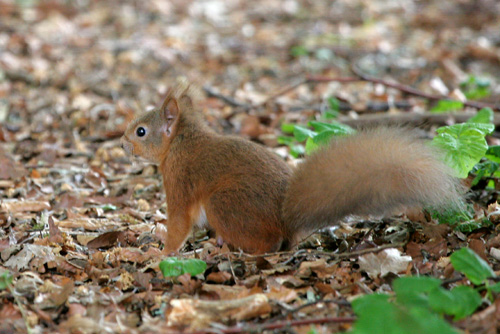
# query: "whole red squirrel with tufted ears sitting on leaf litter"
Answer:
x=256 y=202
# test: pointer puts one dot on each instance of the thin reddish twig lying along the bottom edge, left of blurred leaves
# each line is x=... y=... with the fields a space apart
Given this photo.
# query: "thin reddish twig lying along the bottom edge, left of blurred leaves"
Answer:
x=277 y=325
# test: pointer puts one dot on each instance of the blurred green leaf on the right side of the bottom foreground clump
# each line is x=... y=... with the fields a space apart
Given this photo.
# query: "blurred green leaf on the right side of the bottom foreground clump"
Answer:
x=459 y=302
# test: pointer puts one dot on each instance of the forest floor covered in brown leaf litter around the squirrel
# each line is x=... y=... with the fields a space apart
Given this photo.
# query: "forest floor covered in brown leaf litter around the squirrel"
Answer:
x=82 y=223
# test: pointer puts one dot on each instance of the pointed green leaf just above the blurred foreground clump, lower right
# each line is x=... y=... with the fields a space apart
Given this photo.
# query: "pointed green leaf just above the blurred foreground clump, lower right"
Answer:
x=470 y=264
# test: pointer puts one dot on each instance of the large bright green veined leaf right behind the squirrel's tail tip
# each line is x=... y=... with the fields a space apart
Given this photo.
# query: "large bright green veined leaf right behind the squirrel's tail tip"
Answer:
x=463 y=145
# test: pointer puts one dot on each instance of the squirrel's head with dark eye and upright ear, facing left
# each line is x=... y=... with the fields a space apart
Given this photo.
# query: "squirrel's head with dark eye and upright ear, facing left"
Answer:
x=149 y=136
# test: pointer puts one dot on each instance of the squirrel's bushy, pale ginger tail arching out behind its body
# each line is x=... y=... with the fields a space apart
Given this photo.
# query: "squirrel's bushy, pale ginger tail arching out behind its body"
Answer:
x=372 y=172
